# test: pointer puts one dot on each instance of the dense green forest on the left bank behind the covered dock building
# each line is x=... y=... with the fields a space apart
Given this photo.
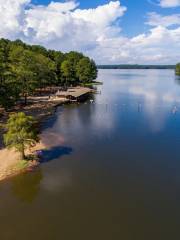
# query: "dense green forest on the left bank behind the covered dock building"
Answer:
x=26 y=68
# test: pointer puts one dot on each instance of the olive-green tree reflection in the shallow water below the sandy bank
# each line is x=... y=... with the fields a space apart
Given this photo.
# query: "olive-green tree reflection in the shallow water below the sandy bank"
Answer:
x=26 y=186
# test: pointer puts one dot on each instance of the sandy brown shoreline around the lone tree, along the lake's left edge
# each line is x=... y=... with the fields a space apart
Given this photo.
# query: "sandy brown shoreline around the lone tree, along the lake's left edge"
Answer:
x=10 y=165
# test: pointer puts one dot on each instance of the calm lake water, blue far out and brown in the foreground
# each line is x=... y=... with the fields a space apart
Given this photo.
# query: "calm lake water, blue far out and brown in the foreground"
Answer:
x=112 y=170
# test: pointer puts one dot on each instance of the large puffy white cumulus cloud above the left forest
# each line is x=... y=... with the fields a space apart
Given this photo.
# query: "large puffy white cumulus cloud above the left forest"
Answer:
x=63 y=26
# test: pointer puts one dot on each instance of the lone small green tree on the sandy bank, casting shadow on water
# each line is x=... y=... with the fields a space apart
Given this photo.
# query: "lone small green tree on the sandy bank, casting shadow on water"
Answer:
x=21 y=132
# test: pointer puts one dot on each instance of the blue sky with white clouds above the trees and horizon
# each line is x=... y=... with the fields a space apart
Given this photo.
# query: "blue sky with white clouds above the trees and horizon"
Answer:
x=109 y=31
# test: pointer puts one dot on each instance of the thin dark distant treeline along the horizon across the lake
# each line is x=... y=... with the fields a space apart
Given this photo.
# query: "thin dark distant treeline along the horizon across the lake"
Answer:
x=136 y=66
